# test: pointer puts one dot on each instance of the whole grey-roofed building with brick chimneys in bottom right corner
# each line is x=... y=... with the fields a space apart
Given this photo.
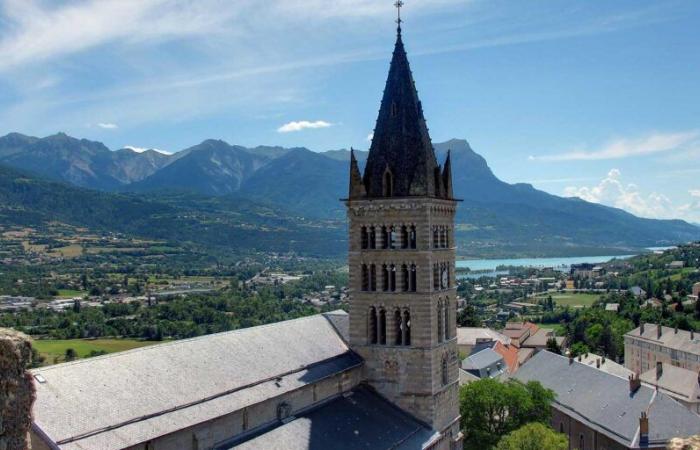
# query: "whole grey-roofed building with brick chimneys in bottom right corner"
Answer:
x=601 y=411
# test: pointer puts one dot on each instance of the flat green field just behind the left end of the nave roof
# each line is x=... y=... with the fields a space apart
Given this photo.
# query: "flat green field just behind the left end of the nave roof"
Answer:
x=56 y=349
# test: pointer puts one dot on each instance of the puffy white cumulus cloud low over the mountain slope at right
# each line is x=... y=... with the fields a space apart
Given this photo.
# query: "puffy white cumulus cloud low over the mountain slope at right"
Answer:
x=612 y=191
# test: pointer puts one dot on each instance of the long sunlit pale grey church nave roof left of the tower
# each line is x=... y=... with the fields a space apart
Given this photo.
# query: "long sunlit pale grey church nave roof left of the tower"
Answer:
x=122 y=399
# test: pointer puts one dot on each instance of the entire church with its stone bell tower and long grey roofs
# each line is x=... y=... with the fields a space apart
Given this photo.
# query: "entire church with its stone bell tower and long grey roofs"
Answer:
x=384 y=376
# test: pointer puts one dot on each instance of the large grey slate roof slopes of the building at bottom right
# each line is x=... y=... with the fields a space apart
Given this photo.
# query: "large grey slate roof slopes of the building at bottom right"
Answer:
x=604 y=403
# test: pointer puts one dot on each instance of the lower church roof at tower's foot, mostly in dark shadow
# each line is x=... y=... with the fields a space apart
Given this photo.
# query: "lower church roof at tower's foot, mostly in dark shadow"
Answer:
x=361 y=420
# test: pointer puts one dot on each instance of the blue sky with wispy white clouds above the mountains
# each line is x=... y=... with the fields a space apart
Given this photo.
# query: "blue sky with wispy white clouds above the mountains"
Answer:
x=598 y=99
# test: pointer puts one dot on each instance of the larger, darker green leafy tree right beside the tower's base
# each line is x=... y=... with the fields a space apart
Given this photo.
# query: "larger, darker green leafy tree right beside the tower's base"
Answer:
x=491 y=409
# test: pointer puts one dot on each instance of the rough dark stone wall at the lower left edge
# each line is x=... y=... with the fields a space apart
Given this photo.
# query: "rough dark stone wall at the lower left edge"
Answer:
x=16 y=390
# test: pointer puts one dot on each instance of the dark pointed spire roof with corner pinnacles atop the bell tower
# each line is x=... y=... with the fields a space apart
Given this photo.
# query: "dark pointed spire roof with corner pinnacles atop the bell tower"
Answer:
x=401 y=145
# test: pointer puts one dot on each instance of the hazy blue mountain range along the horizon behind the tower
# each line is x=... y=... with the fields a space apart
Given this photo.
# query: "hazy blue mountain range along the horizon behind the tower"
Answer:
x=495 y=218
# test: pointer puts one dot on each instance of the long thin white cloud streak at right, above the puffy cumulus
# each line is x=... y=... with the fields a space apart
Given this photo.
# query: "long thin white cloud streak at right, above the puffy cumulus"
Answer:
x=625 y=148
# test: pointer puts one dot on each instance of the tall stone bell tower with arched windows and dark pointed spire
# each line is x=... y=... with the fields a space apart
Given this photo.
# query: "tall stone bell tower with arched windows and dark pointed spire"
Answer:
x=402 y=260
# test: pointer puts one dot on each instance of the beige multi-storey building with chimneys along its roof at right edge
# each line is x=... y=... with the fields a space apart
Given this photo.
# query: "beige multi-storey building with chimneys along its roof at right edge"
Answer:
x=650 y=343
